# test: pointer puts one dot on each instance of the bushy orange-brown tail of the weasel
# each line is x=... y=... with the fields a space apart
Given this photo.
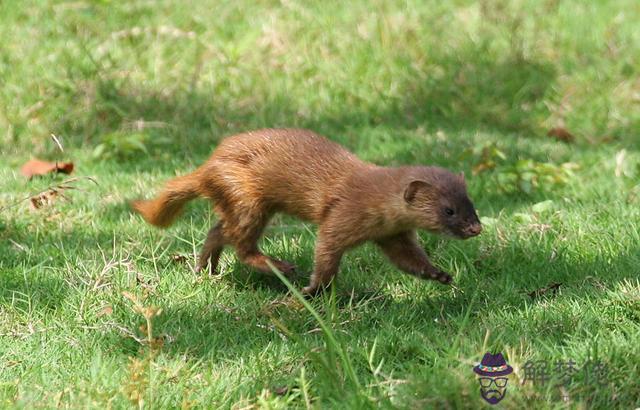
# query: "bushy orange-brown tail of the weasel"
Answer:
x=163 y=209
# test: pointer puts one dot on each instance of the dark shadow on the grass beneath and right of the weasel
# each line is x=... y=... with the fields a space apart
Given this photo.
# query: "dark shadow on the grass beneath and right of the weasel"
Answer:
x=214 y=331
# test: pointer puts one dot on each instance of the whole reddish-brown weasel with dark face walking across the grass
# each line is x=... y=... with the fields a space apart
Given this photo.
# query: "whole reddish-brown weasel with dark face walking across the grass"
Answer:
x=252 y=175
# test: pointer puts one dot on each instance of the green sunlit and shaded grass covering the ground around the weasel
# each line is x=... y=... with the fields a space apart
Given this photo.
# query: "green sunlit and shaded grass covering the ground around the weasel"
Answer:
x=98 y=309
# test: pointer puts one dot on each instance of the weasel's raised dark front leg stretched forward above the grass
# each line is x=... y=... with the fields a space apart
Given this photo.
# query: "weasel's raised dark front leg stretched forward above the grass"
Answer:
x=404 y=252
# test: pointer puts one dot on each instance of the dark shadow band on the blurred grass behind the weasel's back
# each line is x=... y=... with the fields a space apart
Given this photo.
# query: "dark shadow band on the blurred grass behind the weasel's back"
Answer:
x=471 y=92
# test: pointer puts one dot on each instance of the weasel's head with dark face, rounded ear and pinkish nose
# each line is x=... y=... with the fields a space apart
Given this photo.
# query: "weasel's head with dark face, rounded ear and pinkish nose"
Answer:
x=437 y=200
